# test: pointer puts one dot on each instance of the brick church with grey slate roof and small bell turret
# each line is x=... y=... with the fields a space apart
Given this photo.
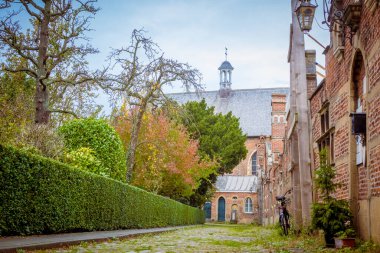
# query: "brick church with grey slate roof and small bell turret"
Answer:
x=237 y=195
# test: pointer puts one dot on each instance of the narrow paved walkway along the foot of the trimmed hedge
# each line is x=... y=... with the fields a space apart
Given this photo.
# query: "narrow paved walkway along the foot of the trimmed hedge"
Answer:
x=11 y=244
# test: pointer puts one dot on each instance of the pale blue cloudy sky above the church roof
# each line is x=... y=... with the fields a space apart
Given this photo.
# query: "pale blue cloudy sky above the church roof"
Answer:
x=196 y=31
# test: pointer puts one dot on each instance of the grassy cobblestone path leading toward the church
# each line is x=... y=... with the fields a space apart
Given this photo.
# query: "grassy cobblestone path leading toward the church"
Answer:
x=208 y=238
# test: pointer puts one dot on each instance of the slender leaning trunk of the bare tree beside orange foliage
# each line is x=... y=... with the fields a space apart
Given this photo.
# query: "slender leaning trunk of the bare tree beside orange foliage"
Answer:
x=131 y=152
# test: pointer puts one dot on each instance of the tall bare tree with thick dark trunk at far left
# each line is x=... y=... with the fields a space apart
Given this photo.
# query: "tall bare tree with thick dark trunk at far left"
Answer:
x=51 y=47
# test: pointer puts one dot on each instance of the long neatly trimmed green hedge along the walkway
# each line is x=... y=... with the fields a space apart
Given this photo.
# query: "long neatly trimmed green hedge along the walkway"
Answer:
x=40 y=195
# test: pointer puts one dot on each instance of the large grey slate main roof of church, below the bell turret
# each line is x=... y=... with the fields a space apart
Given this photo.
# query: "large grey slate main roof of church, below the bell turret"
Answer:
x=251 y=106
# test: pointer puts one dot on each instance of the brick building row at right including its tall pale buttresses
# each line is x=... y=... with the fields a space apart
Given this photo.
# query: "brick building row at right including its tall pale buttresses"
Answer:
x=344 y=118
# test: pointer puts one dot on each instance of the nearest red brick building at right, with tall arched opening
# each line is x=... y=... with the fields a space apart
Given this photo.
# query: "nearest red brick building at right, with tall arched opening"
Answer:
x=352 y=87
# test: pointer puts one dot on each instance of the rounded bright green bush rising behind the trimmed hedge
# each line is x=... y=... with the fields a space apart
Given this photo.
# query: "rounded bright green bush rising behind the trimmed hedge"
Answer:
x=101 y=139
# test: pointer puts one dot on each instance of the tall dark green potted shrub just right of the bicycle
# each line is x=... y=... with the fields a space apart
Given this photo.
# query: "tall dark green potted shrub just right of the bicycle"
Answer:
x=329 y=214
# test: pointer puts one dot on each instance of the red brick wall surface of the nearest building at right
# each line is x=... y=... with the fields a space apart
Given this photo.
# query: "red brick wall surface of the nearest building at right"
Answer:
x=341 y=89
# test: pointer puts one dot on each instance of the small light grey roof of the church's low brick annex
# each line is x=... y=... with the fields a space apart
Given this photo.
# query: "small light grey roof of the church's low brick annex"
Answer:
x=229 y=183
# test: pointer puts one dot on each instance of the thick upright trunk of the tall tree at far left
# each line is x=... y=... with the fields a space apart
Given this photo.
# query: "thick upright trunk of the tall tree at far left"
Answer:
x=42 y=95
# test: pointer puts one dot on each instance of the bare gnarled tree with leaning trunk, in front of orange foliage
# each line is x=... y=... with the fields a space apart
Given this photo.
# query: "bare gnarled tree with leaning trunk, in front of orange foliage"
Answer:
x=144 y=73
